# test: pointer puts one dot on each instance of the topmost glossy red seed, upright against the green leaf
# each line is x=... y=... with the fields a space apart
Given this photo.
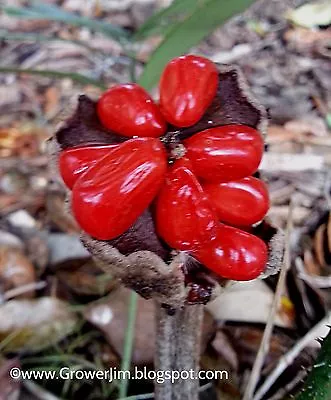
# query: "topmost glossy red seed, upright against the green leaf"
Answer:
x=187 y=87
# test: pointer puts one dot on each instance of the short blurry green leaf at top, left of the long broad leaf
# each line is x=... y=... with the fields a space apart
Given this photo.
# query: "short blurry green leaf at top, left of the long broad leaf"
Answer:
x=166 y=17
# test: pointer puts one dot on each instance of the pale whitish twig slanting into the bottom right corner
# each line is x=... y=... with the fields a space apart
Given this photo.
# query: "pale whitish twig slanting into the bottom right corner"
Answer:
x=288 y=358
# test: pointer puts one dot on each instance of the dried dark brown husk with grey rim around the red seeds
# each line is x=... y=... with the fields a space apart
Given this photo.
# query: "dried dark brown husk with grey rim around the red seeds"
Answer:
x=138 y=257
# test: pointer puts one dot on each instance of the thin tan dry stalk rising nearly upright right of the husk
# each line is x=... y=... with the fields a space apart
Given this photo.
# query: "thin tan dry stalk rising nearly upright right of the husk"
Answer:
x=264 y=346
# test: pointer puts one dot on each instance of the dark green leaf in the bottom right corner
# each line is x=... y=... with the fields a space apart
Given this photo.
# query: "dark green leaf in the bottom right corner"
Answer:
x=318 y=383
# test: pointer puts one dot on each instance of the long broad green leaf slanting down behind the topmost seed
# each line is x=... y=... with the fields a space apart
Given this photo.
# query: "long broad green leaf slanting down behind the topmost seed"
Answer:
x=188 y=33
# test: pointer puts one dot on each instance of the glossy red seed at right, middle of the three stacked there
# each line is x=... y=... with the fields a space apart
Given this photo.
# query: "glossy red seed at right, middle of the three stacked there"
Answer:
x=242 y=203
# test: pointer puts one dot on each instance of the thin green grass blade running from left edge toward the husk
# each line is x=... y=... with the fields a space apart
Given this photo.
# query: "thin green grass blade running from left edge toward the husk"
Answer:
x=82 y=79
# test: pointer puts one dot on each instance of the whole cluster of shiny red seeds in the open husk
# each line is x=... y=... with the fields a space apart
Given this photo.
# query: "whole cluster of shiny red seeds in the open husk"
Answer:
x=205 y=189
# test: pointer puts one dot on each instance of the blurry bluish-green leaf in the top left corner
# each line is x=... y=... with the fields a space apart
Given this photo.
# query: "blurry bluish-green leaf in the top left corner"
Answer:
x=54 y=13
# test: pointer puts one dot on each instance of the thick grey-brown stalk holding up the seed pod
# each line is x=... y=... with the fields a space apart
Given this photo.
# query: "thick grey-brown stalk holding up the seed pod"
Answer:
x=178 y=349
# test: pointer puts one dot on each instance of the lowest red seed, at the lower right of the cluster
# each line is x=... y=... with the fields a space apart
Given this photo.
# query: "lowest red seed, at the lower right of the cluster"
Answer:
x=234 y=254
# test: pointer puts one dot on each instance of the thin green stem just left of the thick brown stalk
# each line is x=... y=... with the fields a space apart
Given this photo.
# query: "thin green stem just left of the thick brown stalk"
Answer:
x=128 y=342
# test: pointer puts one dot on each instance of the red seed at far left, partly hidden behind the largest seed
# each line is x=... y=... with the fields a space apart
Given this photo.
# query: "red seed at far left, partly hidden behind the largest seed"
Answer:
x=76 y=161
